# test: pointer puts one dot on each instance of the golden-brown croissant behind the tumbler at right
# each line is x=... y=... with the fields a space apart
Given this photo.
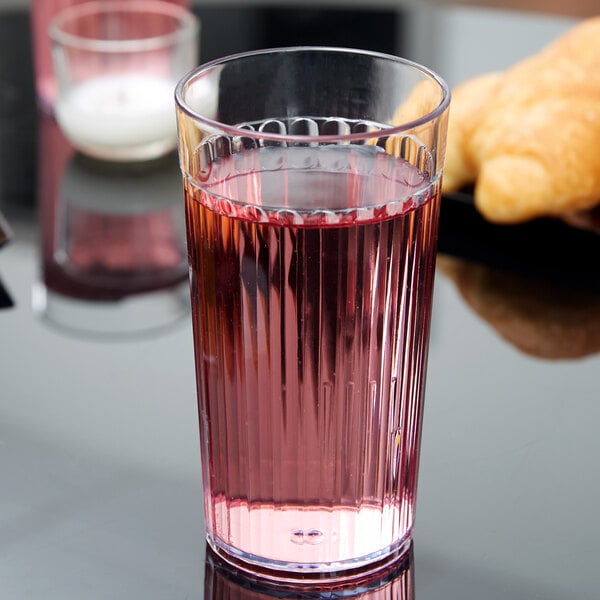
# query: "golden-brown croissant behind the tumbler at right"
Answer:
x=529 y=137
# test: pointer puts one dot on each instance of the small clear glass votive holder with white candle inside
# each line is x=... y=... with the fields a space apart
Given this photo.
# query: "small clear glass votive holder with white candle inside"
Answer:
x=117 y=63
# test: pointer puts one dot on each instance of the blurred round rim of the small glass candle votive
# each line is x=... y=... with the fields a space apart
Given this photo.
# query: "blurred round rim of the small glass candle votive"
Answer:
x=188 y=26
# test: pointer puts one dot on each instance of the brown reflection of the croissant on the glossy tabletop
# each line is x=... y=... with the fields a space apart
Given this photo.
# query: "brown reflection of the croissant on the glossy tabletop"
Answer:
x=539 y=319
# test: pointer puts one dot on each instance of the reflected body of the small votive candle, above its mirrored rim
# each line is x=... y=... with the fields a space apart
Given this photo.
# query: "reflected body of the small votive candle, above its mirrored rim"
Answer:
x=121 y=225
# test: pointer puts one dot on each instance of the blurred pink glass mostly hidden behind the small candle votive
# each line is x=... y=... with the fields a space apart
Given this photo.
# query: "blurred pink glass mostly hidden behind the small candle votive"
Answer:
x=42 y=12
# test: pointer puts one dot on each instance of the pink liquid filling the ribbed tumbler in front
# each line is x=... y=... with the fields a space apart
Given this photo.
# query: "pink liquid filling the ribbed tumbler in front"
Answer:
x=311 y=331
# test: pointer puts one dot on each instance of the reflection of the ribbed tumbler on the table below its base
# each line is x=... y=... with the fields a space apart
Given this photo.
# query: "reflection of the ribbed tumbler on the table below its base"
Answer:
x=221 y=580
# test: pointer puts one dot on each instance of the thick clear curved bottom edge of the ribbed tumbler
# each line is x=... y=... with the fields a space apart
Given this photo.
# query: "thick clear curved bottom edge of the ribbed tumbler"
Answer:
x=286 y=572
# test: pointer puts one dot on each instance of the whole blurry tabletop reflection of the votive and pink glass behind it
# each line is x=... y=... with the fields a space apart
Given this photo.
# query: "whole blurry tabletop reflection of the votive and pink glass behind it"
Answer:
x=113 y=242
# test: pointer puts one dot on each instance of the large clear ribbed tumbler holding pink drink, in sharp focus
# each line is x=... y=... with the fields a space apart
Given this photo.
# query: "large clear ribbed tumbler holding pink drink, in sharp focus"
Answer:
x=312 y=207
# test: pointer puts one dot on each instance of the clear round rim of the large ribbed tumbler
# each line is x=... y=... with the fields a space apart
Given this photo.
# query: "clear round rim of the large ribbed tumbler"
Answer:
x=240 y=131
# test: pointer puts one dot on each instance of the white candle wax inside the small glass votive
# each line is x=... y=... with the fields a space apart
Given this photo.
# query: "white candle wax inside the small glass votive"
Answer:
x=118 y=116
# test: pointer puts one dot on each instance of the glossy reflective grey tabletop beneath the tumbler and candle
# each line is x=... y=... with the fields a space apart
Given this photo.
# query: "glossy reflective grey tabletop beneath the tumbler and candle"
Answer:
x=100 y=489
